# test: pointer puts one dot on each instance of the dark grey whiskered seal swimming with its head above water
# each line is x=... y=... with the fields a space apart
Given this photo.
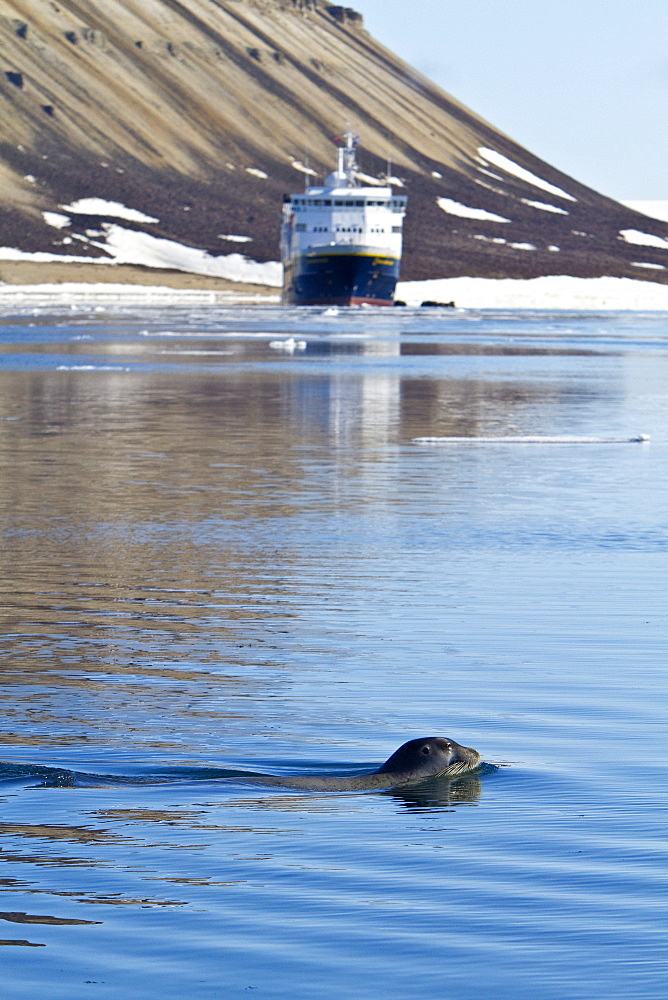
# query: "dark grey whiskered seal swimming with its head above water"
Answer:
x=415 y=761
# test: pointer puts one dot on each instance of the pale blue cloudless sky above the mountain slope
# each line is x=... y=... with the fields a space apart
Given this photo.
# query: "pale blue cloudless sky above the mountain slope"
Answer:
x=583 y=84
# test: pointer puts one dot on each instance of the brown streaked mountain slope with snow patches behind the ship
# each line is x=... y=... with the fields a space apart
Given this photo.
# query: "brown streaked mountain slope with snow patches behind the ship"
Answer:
x=199 y=114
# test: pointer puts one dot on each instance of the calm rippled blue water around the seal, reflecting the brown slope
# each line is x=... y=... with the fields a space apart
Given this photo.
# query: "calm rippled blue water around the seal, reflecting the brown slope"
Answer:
x=224 y=553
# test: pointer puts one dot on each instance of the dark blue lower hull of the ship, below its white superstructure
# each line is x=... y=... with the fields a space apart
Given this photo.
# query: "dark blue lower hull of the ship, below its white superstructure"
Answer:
x=340 y=277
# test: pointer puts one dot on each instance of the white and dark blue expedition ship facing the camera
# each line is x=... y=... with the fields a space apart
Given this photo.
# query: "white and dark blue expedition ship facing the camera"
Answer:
x=341 y=243
